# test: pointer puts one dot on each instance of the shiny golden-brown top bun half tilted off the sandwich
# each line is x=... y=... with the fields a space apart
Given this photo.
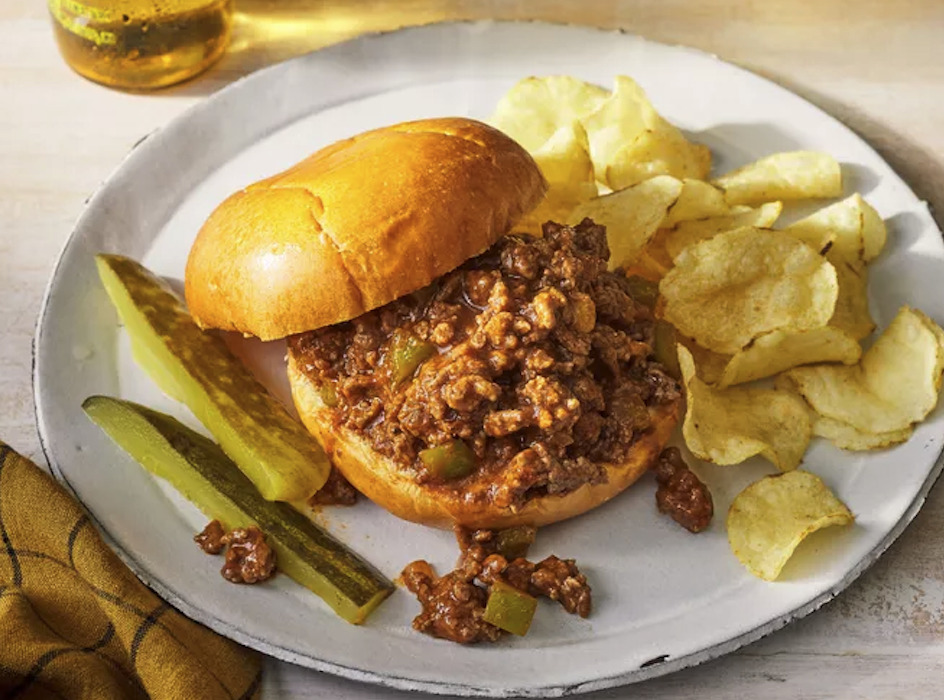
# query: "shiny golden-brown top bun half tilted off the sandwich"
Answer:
x=357 y=225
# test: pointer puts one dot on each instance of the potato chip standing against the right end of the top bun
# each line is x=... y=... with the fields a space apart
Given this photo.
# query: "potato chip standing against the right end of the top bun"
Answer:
x=564 y=161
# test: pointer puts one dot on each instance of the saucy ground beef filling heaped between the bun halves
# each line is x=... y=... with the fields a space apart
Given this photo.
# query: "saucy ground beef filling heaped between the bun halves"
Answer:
x=532 y=354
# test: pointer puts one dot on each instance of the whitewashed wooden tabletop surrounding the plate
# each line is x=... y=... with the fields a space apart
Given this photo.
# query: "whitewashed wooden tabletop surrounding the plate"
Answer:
x=877 y=65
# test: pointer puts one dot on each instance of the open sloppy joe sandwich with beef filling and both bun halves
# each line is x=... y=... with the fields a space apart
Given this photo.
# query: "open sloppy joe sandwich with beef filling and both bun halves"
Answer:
x=455 y=372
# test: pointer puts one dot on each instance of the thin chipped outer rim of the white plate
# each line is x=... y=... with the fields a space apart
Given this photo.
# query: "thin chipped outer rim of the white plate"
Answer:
x=647 y=670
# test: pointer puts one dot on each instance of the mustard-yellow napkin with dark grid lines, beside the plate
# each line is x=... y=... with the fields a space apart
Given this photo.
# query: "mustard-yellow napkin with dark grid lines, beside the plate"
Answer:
x=76 y=623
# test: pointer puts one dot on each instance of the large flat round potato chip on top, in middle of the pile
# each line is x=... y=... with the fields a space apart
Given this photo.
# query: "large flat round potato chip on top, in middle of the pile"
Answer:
x=741 y=284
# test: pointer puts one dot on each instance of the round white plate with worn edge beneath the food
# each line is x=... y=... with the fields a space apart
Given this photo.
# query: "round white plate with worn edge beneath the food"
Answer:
x=664 y=599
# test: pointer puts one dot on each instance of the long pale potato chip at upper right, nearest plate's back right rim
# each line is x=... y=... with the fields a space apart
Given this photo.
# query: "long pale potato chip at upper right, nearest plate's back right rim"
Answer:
x=783 y=176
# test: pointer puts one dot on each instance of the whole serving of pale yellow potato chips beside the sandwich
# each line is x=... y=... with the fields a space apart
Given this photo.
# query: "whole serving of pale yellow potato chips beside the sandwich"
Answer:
x=739 y=300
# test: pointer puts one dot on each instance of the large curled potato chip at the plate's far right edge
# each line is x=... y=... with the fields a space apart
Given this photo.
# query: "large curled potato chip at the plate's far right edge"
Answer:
x=894 y=386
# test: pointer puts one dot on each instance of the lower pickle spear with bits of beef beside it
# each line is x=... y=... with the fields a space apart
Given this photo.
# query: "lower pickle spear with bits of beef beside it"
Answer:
x=200 y=470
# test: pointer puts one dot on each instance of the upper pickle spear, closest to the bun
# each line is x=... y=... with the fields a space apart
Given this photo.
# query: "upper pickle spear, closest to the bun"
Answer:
x=273 y=449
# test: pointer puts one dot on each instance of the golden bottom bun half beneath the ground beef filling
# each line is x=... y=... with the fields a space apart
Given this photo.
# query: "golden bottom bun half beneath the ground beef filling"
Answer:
x=378 y=477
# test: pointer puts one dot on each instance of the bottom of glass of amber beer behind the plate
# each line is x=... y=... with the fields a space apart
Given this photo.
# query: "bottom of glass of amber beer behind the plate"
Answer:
x=141 y=44
